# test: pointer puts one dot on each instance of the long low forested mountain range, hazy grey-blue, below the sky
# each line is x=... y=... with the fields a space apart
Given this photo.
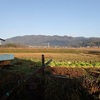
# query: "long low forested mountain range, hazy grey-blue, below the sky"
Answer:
x=43 y=40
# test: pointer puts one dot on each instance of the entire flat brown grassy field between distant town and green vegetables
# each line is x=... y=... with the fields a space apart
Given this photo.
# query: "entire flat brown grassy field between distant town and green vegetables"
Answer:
x=70 y=54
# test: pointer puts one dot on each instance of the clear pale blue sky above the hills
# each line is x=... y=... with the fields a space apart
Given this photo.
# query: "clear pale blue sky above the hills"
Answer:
x=49 y=17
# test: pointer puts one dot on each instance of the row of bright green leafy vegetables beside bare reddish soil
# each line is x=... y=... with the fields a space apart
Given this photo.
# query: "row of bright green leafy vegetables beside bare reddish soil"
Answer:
x=84 y=64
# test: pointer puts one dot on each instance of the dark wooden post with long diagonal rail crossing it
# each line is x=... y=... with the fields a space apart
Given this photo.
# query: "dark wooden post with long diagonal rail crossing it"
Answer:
x=20 y=83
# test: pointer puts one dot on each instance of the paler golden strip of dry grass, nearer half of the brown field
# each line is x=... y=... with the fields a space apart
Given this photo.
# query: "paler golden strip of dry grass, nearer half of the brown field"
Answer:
x=58 y=56
